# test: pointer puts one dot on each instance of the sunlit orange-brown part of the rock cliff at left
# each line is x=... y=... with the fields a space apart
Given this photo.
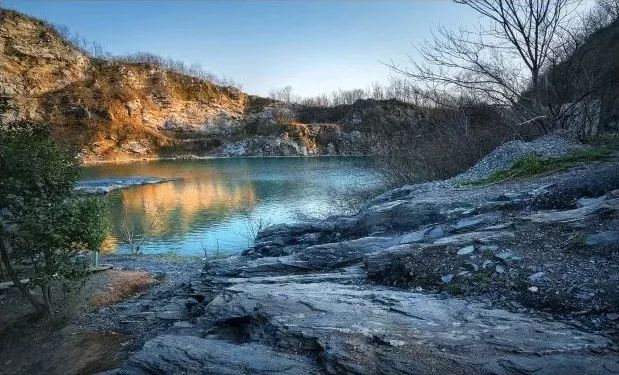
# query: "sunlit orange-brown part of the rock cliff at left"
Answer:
x=113 y=110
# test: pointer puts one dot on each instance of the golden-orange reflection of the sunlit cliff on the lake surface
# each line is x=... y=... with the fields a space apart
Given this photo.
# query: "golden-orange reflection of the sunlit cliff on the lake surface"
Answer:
x=202 y=194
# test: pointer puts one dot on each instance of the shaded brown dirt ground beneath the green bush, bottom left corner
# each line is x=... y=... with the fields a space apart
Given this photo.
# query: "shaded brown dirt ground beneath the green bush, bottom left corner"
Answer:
x=29 y=344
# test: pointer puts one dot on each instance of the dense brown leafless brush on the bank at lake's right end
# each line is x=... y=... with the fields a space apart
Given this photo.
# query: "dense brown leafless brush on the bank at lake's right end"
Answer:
x=441 y=143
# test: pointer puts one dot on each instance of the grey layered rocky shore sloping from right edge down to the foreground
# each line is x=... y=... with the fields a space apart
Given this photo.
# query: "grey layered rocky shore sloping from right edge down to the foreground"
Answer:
x=518 y=277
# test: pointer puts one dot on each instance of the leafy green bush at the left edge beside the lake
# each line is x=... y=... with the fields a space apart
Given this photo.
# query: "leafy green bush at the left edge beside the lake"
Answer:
x=46 y=227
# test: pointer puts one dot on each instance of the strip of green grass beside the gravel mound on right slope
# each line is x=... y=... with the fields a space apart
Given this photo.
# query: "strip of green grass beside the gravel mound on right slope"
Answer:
x=531 y=165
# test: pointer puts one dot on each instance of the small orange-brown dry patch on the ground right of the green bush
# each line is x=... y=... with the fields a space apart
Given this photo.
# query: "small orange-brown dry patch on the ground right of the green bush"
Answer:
x=121 y=285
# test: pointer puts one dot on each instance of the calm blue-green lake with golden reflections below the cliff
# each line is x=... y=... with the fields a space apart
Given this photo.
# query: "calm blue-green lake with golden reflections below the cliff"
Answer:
x=217 y=205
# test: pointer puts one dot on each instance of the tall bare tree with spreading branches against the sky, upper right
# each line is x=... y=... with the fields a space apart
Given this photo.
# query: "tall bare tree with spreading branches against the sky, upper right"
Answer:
x=500 y=63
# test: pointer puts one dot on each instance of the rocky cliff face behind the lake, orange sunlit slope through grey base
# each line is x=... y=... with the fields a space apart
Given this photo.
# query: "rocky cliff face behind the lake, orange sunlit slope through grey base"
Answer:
x=114 y=110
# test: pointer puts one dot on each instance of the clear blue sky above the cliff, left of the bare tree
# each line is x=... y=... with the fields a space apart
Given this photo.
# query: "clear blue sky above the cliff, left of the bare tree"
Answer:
x=314 y=46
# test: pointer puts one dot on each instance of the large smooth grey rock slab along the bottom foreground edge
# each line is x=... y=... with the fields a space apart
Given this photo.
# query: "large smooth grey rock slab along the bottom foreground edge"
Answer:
x=362 y=329
